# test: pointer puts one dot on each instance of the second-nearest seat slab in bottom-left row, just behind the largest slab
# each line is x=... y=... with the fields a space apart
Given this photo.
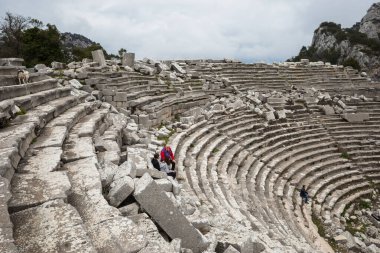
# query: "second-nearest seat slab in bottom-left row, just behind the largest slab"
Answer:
x=30 y=190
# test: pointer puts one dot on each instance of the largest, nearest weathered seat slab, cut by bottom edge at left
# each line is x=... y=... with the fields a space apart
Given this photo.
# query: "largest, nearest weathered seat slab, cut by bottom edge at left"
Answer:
x=51 y=227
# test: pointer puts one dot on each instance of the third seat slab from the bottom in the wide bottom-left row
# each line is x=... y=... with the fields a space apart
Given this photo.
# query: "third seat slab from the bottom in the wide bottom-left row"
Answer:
x=41 y=161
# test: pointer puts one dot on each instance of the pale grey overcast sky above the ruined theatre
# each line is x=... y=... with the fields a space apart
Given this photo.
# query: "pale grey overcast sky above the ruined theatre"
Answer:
x=249 y=30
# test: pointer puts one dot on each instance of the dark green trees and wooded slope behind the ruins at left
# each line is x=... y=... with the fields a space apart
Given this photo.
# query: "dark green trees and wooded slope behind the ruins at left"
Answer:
x=30 y=39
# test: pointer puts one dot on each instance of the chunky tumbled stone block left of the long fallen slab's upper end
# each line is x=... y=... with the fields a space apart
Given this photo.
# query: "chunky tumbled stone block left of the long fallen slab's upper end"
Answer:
x=120 y=189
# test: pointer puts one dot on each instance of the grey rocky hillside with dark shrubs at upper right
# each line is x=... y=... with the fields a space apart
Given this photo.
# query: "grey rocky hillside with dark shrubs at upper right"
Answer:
x=358 y=46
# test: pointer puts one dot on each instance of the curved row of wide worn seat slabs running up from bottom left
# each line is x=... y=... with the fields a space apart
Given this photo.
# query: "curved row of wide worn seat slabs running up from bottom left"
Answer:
x=39 y=191
